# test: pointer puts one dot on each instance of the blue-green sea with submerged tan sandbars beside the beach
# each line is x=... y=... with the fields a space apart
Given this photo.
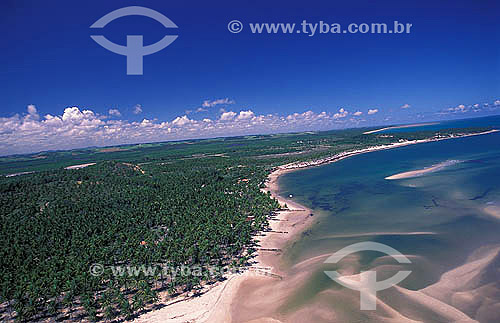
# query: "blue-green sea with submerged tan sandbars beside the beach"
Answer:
x=442 y=220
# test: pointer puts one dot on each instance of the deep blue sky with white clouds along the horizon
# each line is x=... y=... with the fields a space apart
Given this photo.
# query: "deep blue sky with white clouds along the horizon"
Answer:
x=448 y=63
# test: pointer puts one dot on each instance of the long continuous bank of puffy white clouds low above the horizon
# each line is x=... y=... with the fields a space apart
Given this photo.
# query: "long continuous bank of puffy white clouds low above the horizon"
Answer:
x=77 y=128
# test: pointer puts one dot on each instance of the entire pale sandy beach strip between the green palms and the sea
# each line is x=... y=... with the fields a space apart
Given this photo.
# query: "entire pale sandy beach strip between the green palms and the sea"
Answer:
x=215 y=304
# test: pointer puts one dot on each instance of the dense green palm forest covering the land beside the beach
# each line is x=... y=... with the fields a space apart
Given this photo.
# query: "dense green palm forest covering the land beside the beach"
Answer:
x=181 y=204
